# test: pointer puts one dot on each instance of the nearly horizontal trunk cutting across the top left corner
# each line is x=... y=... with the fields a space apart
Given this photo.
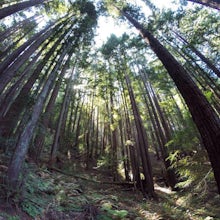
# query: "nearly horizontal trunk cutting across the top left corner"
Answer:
x=4 y=12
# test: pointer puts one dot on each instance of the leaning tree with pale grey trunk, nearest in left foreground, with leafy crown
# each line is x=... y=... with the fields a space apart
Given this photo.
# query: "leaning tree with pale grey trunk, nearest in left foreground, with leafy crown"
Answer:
x=69 y=43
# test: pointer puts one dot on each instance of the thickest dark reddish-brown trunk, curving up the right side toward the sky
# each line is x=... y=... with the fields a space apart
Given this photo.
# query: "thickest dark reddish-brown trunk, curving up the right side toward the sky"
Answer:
x=204 y=116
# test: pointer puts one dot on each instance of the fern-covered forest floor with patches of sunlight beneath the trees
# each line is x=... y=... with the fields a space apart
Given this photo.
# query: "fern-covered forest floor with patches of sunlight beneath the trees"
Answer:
x=56 y=195
